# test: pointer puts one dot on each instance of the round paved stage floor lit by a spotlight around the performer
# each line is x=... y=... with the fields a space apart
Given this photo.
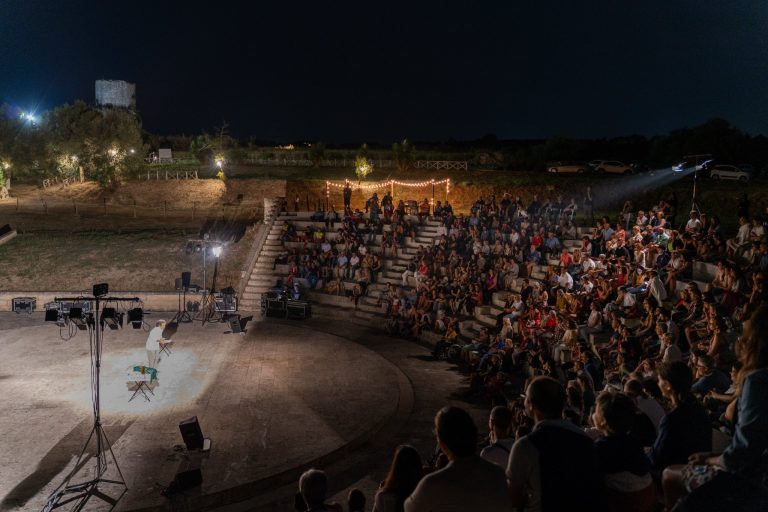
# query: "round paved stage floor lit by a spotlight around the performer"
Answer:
x=272 y=401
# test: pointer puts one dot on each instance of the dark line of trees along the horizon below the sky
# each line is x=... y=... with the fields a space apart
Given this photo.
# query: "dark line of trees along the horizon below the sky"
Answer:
x=107 y=145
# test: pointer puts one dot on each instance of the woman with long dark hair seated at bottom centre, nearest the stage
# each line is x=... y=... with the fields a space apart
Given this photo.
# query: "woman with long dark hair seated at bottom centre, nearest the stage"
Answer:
x=404 y=474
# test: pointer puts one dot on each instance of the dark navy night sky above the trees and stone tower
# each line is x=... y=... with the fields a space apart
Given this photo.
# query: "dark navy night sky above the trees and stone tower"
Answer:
x=381 y=71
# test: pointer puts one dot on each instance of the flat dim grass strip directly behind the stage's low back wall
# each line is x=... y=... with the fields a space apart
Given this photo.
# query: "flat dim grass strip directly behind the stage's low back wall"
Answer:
x=148 y=260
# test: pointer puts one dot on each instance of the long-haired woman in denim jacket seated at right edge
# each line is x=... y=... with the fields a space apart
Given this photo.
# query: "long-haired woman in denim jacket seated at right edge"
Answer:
x=737 y=479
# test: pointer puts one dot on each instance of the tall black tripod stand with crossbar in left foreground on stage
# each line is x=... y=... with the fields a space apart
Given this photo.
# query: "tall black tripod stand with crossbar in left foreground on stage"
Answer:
x=82 y=492
